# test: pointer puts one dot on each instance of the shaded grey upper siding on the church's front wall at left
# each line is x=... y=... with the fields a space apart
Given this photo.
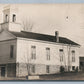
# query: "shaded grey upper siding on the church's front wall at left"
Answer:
x=5 y=52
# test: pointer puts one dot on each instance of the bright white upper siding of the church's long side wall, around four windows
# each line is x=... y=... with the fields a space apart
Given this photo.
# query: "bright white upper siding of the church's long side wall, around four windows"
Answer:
x=24 y=53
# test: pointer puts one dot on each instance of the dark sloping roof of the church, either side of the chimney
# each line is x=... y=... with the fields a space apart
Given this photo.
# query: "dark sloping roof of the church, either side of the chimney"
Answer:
x=43 y=37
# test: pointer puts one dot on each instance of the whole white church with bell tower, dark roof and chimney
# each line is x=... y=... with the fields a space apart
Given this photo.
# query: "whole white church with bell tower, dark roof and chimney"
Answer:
x=26 y=53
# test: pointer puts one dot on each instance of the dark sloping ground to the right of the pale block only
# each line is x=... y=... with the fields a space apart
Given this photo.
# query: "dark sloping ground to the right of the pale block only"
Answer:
x=64 y=76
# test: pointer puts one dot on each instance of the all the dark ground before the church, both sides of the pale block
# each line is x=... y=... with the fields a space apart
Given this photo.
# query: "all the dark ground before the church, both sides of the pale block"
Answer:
x=63 y=76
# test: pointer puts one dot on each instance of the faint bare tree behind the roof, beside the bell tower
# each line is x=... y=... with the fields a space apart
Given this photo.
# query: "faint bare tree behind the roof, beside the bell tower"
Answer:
x=27 y=24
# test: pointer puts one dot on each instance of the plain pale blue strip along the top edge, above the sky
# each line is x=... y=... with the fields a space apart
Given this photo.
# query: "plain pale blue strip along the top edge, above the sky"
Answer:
x=41 y=1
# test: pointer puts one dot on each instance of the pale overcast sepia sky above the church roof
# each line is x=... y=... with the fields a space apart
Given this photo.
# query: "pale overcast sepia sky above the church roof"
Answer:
x=68 y=19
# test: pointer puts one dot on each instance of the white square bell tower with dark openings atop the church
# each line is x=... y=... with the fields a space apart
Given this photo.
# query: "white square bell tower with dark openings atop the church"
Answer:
x=10 y=19
